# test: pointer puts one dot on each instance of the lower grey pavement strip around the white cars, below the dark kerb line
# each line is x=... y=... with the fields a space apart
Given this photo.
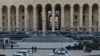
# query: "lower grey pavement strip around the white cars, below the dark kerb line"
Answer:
x=9 y=52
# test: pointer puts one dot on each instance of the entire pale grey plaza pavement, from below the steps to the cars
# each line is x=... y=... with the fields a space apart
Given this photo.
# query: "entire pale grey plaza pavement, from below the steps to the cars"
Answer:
x=45 y=49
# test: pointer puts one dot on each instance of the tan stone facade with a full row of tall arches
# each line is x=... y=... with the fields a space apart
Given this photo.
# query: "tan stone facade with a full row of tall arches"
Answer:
x=64 y=15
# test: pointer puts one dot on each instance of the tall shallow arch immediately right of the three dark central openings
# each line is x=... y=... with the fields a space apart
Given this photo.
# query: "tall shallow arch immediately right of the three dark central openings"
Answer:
x=67 y=16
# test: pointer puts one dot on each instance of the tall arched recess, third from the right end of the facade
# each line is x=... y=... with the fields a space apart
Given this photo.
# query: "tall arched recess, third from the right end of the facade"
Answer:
x=76 y=15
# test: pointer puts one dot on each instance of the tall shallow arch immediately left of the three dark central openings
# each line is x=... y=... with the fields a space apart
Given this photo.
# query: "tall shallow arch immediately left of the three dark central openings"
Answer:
x=30 y=17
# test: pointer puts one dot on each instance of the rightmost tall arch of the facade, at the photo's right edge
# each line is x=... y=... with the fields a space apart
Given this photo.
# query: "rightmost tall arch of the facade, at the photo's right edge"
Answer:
x=95 y=17
